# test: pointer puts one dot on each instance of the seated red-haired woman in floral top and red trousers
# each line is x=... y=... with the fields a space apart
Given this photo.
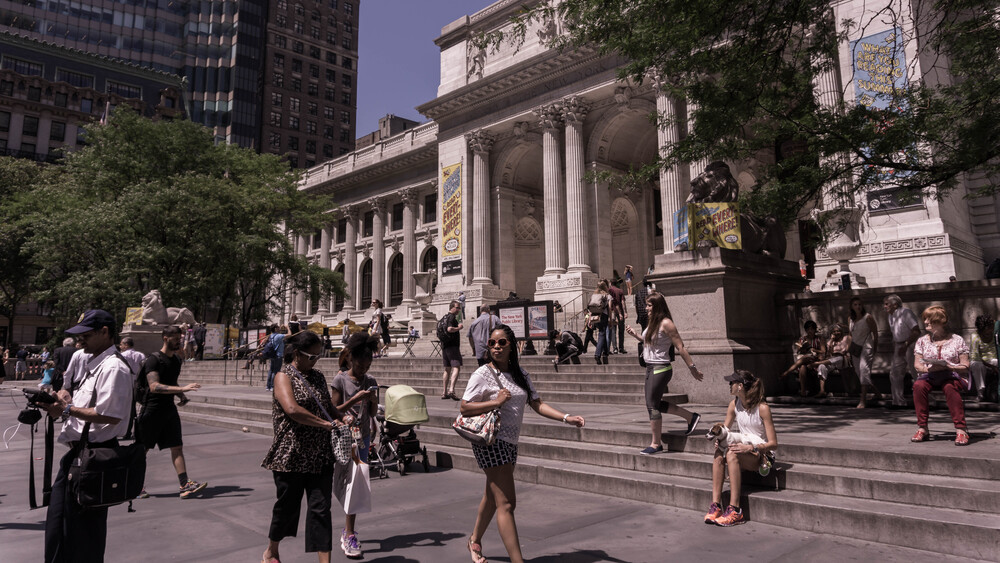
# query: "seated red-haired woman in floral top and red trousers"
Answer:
x=942 y=360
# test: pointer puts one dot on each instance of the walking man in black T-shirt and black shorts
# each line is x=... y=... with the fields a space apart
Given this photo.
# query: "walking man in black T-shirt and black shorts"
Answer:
x=158 y=423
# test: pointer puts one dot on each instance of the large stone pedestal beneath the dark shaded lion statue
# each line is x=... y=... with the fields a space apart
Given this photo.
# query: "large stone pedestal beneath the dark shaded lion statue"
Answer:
x=729 y=309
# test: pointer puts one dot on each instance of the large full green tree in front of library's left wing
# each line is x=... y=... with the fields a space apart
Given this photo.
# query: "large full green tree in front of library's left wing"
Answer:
x=158 y=205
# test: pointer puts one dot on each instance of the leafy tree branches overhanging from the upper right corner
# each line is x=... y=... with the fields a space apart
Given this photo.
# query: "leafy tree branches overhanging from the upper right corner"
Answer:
x=751 y=69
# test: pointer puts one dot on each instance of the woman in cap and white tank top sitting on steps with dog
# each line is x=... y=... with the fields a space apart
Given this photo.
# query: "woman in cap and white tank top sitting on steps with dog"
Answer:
x=753 y=416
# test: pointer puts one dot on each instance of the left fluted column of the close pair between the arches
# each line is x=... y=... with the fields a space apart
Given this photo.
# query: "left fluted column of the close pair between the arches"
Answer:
x=550 y=118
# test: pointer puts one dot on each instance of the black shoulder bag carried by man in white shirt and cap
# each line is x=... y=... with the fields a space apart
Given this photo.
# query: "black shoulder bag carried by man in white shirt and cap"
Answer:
x=106 y=475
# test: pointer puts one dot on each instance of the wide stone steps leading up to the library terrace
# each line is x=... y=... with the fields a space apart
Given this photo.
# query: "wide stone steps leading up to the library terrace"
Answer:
x=933 y=497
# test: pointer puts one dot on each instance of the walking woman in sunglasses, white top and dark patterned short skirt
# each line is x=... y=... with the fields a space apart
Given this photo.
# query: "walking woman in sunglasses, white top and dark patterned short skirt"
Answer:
x=502 y=384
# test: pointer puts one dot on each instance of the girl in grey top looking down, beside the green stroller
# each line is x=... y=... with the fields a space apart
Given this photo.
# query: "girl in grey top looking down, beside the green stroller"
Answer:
x=351 y=392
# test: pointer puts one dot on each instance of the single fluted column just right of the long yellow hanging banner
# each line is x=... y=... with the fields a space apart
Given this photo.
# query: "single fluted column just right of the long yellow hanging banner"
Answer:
x=480 y=142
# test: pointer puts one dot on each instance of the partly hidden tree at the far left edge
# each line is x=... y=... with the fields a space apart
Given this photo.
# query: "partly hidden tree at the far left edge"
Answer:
x=17 y=176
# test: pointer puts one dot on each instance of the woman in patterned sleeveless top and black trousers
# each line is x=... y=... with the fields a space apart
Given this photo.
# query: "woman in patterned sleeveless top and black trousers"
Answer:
x=301 y=456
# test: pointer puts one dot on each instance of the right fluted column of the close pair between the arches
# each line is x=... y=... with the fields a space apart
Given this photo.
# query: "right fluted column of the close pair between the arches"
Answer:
x=574 y=111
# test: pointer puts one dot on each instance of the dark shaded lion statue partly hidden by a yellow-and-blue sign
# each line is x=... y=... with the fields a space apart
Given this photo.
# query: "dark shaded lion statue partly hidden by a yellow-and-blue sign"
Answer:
x=717 y=185
